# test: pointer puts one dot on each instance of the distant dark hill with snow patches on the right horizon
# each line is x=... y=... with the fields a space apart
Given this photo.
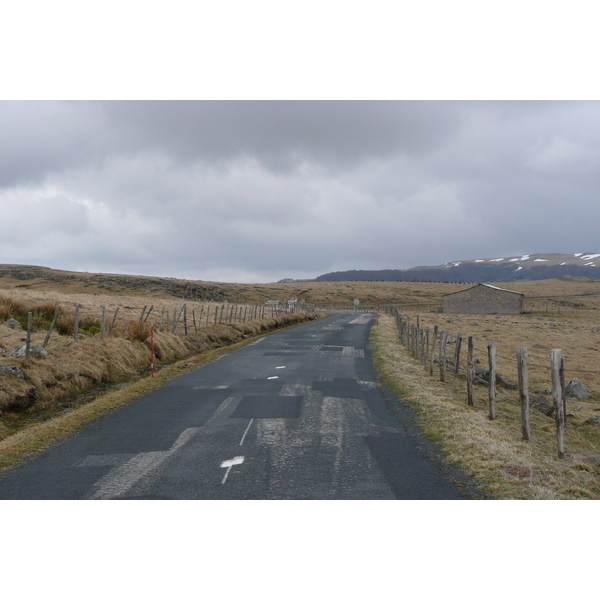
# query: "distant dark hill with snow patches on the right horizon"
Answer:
x=527 y=267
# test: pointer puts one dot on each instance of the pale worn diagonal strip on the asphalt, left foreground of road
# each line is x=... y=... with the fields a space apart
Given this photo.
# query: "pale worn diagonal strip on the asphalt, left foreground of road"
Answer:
x=122 y=479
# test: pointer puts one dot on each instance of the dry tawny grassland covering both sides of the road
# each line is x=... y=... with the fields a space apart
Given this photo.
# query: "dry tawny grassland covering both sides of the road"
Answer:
x=561 y=314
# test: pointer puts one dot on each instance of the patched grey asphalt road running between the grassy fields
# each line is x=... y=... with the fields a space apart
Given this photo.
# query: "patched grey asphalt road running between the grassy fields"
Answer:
x=294 y=415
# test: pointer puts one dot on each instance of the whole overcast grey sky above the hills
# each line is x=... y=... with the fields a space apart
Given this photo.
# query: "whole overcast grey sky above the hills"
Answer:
x=255 y=191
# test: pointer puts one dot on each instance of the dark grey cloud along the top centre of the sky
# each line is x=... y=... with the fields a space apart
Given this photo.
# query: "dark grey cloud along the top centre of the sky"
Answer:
x=282 y=134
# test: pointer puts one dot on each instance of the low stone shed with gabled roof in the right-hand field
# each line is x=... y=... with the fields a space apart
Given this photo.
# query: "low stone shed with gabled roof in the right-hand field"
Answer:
x=484 y=299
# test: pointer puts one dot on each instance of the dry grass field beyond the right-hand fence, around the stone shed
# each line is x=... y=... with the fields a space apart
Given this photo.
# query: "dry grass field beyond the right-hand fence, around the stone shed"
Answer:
x=570 y=321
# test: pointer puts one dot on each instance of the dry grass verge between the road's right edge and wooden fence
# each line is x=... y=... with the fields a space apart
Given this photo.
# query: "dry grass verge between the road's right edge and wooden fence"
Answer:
x=491 y=452
